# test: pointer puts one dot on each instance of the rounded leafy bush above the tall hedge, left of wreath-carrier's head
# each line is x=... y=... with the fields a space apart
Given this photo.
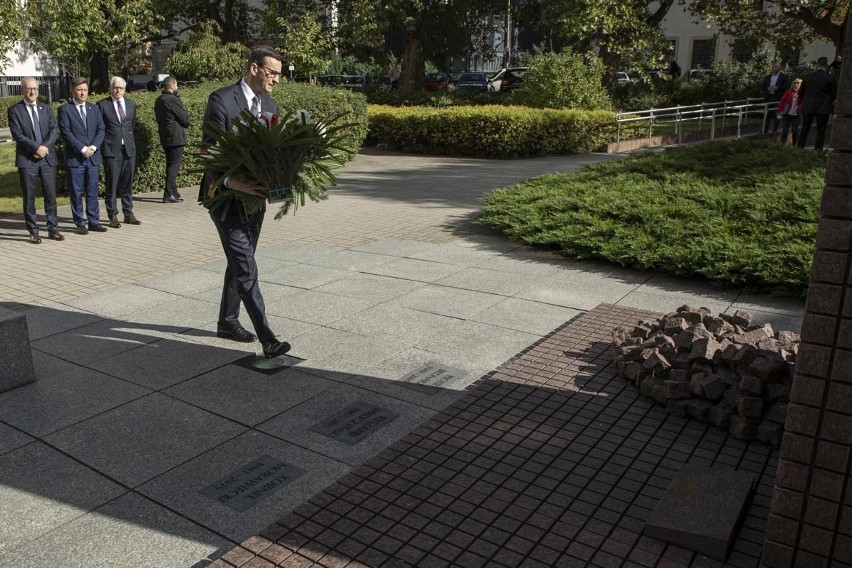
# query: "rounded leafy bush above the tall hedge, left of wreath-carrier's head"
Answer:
x=203 y=57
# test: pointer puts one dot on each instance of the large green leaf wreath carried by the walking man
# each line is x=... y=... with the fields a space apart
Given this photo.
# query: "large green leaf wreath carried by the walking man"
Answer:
x=292 y=159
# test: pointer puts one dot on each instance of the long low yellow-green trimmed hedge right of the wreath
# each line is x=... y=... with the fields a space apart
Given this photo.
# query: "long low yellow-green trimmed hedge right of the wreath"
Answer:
x=489 y=132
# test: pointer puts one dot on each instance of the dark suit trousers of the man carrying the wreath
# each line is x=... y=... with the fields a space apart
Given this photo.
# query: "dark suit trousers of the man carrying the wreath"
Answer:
x=239 y=235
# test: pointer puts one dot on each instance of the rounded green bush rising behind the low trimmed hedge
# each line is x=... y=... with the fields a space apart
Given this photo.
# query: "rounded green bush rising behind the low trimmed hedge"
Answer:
x=564 y=80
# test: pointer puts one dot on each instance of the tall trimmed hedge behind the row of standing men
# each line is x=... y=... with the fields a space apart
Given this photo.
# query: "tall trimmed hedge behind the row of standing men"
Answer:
x=150 y=159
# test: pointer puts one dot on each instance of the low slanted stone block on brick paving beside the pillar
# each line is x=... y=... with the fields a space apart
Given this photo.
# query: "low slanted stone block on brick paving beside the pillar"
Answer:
x=702 y=509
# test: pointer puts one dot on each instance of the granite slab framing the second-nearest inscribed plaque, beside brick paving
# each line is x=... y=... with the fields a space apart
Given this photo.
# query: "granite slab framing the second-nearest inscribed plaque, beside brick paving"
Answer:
x=299 y=425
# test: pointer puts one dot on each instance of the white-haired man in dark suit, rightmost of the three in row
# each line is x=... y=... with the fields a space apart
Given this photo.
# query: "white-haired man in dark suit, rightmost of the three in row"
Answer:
x=119 y=152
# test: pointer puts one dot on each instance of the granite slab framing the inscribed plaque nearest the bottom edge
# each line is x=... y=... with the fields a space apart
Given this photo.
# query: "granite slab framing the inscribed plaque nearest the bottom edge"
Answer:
x=179 y=488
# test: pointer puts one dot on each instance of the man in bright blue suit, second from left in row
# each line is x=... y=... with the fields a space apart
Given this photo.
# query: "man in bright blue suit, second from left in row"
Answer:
x=82 y=129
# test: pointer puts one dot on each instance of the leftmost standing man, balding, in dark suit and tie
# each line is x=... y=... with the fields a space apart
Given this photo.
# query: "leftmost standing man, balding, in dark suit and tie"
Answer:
x=34 y=131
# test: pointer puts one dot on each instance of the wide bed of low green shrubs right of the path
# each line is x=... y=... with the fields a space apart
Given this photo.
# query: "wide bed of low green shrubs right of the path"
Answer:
x=740 y=212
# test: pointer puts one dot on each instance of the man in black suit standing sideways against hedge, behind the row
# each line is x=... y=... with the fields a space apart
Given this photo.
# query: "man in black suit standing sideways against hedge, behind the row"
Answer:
x=172 y=122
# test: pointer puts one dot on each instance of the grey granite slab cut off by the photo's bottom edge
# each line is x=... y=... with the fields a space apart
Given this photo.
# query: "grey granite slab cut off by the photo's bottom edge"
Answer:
x=128 y=532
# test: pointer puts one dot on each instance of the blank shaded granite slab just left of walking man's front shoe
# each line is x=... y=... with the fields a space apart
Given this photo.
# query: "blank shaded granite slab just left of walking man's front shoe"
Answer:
x=166 y=362
